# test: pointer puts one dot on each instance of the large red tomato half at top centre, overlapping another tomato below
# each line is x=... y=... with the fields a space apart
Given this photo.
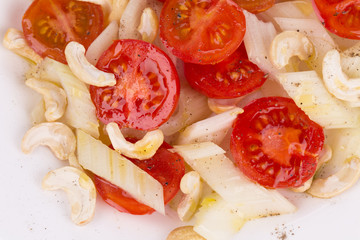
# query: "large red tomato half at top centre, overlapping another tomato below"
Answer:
x=202 y=32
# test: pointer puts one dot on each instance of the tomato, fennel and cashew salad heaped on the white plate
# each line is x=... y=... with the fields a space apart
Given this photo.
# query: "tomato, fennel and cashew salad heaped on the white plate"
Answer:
x=271 y=40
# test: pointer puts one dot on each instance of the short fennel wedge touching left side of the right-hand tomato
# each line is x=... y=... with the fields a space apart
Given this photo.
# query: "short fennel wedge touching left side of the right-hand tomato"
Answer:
x=212 y=129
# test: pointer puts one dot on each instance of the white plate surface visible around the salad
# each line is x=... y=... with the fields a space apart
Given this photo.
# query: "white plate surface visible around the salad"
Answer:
x=28 y=212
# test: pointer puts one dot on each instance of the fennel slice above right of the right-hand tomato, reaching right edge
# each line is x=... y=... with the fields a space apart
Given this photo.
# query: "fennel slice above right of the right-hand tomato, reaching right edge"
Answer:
x=309 y=93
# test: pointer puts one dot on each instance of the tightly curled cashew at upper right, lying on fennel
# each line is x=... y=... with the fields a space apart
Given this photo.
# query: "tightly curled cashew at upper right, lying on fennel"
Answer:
x=288 y=44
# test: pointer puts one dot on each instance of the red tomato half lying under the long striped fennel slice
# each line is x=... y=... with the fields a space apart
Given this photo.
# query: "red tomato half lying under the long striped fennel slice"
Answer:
x=166 y=167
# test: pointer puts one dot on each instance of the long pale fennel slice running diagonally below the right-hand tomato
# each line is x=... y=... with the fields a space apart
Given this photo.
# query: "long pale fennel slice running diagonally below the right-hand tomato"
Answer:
x=227 y=180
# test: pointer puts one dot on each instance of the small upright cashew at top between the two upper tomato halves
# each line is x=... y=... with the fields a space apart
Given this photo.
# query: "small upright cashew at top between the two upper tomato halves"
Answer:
x=149 y=25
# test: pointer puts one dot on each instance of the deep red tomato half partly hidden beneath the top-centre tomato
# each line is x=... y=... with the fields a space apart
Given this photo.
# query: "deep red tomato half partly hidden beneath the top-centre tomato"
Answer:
x=234 y=77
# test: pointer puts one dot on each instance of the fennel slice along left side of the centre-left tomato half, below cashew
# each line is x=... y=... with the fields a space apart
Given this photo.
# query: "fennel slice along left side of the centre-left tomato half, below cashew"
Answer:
x=80 y=111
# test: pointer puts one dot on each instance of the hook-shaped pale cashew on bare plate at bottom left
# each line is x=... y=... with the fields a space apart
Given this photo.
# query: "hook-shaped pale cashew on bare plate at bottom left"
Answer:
x=80 y=190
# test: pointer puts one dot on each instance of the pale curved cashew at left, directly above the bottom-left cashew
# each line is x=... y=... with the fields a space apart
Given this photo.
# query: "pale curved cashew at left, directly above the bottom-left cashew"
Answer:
x=57 y=136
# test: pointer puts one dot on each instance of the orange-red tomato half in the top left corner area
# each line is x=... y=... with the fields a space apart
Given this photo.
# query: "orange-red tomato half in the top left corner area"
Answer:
x=48 y=25
